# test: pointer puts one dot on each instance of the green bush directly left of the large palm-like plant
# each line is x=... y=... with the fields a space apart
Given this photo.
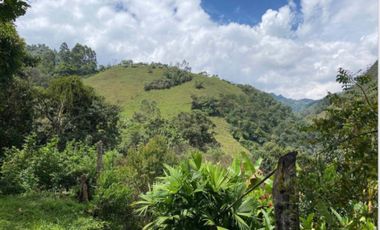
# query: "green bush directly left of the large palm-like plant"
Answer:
x=124 y=178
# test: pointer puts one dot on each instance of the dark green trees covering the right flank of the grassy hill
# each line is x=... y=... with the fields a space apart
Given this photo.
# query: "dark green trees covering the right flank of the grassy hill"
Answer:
x=257 y=121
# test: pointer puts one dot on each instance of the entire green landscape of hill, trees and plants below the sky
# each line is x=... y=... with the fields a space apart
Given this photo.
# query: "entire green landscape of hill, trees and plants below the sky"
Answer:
x=157 y=146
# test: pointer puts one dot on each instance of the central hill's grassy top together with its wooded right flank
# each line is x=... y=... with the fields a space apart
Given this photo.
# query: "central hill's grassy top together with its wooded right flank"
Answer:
x=244 y=113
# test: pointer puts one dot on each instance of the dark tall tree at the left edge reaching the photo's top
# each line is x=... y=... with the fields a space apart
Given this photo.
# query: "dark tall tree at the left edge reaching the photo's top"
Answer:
x=15 y=96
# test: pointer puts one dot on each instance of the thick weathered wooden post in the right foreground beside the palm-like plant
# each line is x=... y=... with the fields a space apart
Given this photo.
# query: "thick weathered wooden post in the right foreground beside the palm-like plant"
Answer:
x=285 y=194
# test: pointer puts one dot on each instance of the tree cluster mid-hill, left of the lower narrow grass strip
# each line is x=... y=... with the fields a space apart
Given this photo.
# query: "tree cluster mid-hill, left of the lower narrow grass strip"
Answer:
x=183 y=131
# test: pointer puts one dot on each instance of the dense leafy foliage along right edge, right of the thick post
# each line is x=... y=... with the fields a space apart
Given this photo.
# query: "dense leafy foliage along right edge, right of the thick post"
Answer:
x=346 y=175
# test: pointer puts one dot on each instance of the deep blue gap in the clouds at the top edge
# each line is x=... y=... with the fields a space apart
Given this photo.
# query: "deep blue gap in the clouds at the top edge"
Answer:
x=240 y=11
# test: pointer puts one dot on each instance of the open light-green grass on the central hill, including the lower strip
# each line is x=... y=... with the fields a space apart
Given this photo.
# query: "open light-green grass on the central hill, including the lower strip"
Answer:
x=125 y=87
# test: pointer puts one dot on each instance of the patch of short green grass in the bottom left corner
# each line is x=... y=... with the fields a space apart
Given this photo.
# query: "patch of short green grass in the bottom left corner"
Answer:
x=44 y=211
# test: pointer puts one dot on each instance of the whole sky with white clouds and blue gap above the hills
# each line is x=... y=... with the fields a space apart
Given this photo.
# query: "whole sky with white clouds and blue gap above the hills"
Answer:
x=290 y=47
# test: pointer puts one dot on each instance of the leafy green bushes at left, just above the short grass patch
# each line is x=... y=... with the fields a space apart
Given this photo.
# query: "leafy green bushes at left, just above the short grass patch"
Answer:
x=35 y=168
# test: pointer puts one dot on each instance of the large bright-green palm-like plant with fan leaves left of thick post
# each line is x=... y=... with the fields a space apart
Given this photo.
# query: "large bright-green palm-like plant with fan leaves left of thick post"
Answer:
x=198 y=195
